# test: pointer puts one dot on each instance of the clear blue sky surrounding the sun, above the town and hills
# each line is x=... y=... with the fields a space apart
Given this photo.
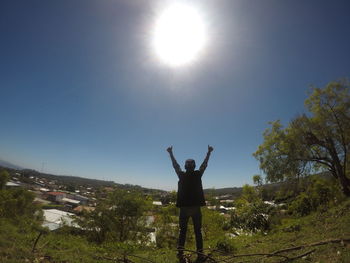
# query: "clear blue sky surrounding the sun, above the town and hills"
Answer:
x=82 y=92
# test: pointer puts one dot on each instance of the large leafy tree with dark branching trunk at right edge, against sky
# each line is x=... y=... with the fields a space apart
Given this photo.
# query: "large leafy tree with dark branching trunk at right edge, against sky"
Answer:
x=317 y=140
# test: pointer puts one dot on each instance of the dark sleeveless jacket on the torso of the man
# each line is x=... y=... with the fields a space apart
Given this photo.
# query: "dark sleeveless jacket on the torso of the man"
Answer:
x=190 y=189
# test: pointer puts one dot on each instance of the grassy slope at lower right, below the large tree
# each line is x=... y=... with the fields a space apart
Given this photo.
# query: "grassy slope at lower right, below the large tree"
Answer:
x=322 y=225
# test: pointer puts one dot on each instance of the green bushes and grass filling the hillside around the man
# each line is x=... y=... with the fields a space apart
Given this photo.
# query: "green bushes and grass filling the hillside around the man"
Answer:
x=313 y=224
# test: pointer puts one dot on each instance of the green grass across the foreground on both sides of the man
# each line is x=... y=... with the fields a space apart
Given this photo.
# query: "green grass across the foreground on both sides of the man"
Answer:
x=16 y=243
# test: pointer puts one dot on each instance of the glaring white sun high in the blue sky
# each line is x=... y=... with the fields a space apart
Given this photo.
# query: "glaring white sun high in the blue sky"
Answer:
x=179 y=35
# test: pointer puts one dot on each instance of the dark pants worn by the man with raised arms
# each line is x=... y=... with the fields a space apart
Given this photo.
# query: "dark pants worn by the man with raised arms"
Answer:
x=185 y=214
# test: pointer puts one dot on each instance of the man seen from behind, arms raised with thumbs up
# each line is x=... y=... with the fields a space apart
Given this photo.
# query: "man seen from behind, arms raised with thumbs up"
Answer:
x=190 y=198
